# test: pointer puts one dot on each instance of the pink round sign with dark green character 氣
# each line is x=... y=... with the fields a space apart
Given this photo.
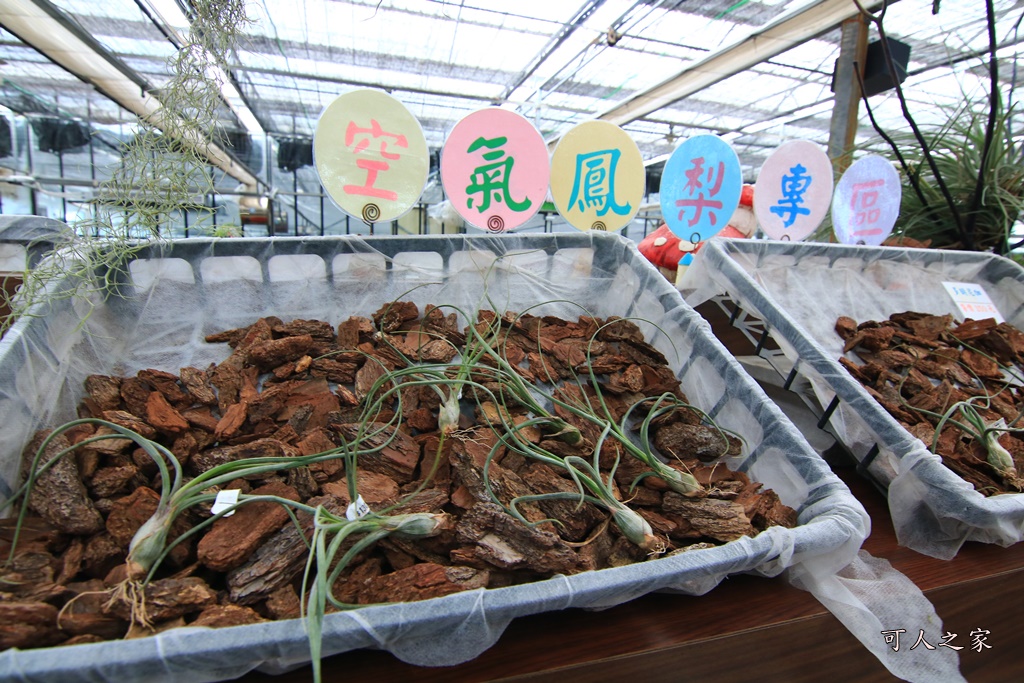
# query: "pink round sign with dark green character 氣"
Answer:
x=495 y=169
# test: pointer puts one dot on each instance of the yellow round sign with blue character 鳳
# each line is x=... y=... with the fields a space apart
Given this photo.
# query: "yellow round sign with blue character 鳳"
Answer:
x=598 y=177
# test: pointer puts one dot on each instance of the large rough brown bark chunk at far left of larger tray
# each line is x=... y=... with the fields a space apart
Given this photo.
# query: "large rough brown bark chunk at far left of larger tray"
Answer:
x=59 y=495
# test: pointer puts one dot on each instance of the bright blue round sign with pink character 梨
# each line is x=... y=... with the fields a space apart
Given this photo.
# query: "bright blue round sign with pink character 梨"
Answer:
x=701 y=188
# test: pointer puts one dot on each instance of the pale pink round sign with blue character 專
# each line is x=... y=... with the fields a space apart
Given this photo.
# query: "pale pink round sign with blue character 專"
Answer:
x=793 y=191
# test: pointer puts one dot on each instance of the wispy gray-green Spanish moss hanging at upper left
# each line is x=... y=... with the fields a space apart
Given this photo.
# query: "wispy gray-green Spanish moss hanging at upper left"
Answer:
x=164 y=170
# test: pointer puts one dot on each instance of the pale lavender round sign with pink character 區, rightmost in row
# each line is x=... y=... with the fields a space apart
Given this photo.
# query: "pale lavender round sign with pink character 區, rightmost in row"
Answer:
x=867 y=202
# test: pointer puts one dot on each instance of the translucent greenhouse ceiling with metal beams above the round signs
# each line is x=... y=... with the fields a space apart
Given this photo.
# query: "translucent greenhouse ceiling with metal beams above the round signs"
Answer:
x=756 y=72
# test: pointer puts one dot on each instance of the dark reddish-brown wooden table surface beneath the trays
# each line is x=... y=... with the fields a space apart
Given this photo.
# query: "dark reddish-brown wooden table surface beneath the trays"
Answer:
x=746 y=629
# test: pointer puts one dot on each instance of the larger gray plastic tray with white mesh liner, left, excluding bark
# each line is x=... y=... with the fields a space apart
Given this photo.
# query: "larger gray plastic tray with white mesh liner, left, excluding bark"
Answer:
x=180 y=292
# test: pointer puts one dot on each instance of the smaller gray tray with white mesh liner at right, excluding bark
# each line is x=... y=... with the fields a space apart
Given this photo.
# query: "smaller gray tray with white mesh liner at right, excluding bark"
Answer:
x=800 y=290
